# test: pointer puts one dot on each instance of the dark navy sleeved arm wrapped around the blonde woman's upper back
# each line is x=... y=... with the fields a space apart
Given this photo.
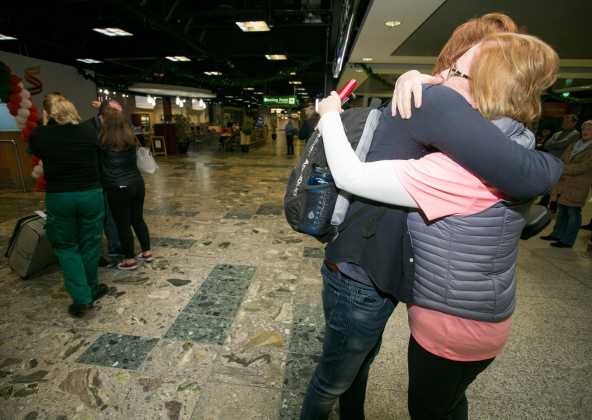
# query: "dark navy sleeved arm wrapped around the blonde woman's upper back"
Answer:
x=447 y=122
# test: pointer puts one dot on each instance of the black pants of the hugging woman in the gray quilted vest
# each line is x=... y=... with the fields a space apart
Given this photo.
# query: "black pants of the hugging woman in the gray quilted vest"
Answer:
x=437 y=386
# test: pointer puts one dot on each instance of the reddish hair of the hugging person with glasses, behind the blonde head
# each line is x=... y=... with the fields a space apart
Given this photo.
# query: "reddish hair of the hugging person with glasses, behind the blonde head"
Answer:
x=470 y=33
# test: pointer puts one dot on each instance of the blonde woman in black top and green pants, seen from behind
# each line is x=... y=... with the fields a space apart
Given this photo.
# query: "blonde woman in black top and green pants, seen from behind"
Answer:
x=73 y=198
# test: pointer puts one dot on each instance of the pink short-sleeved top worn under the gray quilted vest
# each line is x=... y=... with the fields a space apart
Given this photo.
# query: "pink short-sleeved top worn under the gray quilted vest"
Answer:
x=430 y=181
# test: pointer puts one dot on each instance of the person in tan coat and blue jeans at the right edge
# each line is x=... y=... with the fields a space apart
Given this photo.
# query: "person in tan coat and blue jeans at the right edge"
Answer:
x=572 y=190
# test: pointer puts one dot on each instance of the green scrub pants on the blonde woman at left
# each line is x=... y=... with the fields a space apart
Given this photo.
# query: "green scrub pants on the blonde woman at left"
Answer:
x=74 y=228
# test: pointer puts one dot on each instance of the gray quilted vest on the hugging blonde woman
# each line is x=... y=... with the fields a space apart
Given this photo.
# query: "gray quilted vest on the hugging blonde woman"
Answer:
x=466 y=266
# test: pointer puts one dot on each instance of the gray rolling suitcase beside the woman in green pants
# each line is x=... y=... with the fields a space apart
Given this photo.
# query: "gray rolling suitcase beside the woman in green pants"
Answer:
x=29 y=250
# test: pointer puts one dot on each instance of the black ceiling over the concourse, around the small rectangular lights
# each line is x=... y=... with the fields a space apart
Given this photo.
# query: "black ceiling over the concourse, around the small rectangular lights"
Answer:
x=204 y=31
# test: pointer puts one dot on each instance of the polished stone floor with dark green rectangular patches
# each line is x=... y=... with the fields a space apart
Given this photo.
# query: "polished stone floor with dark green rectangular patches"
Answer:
x=226 y=323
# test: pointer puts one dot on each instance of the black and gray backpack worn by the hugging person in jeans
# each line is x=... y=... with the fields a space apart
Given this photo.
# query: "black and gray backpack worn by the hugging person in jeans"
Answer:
x=359 y=124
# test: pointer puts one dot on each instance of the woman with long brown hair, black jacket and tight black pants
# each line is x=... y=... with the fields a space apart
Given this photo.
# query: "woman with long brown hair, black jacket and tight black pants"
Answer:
x=124 y=186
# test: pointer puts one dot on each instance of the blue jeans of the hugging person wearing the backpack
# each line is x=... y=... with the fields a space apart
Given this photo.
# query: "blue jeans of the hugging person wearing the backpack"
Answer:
x=355 y=317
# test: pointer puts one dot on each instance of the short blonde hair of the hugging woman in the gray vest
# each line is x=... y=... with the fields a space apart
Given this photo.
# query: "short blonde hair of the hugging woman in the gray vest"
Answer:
x=509 y=73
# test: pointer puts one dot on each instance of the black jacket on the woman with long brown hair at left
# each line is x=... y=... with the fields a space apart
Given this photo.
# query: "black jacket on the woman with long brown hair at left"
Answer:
x=119 y=168
